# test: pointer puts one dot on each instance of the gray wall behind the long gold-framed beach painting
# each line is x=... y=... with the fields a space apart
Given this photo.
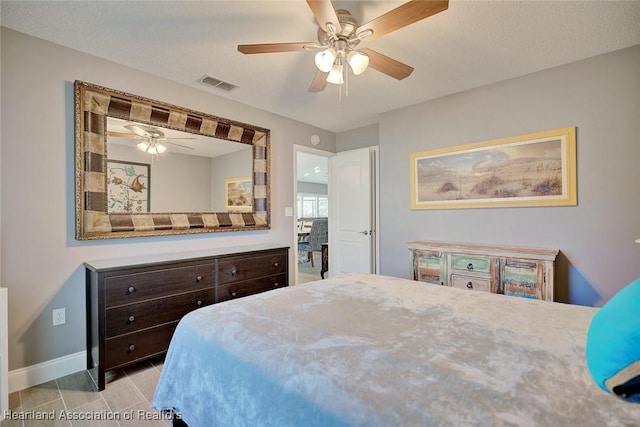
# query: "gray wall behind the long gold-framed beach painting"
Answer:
x=601 y=96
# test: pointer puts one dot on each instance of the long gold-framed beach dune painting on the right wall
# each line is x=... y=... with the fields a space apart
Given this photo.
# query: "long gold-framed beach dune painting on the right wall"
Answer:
x=537 y=169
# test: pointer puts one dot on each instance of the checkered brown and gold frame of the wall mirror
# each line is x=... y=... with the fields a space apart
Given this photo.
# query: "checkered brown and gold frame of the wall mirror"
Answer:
x=93 y=104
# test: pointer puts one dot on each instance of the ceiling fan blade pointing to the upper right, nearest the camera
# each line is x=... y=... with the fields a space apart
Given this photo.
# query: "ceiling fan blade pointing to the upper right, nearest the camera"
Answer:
x=401 y=16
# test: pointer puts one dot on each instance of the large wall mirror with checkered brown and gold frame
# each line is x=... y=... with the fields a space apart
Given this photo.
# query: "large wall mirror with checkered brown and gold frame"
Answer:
x=107 y=120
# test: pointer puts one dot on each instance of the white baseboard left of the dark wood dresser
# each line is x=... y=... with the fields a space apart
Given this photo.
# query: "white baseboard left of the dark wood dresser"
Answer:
x=29 y=376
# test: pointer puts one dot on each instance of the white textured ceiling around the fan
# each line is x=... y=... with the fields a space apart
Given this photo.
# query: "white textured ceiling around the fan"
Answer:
x=471 y=44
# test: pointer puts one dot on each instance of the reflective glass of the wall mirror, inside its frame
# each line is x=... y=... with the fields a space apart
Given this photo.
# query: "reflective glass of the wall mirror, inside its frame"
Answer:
x=156 y=169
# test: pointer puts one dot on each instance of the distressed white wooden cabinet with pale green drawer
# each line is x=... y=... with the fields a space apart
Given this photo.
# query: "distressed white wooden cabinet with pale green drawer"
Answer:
x=510 y=270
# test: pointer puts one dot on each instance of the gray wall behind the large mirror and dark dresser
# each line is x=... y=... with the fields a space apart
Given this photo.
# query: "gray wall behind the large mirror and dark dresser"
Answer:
x=41 y=261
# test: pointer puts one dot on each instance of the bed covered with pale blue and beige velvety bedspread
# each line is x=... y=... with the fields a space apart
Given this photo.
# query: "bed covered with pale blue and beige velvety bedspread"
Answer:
x=370 y=350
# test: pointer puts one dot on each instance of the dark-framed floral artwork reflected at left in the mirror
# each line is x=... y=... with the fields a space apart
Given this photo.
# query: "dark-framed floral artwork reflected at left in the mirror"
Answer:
x=128 y=187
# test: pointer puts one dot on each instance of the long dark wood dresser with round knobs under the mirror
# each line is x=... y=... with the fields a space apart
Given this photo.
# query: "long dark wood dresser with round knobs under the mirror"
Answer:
x=134 y=305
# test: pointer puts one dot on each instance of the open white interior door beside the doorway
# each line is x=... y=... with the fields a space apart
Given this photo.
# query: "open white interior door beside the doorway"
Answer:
x=352 y=224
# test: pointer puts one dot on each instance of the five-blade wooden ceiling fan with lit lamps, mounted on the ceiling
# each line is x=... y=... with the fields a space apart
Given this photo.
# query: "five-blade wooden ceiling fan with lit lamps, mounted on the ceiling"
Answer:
x=339 y=34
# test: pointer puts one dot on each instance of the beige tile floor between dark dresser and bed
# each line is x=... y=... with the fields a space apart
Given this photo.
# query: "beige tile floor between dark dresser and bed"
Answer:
x=73 y=401
